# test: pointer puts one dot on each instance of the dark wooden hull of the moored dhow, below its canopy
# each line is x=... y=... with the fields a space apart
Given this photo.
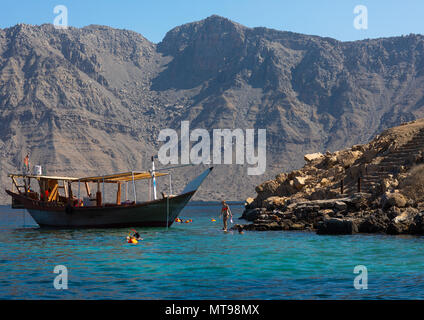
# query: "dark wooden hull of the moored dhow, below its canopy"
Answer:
x=156 y=213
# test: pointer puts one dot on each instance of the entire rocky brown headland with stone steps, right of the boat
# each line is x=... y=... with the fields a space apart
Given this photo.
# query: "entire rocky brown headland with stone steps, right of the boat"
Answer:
x=331 y=195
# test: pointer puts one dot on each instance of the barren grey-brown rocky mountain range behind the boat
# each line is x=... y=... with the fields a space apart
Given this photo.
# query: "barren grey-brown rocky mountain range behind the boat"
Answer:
x=93 y=100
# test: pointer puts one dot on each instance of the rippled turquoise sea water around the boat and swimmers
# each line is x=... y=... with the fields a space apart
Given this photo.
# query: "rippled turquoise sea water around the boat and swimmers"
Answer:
x=199 y=261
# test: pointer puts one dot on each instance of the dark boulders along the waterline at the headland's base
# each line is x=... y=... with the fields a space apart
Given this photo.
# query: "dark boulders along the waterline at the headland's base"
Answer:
x=359 y=213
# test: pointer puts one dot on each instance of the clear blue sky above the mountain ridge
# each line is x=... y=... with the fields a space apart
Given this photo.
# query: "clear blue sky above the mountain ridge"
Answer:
x=153 y=18
